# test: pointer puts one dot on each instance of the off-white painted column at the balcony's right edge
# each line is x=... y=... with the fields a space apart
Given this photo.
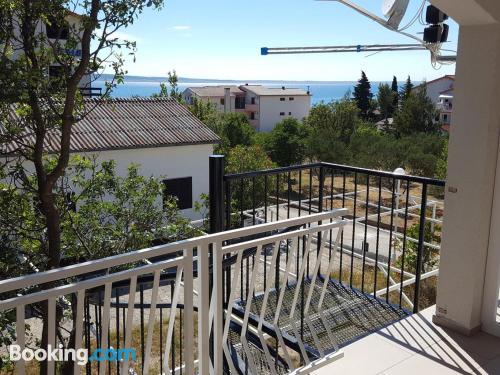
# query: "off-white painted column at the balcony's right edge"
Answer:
x=473 y=154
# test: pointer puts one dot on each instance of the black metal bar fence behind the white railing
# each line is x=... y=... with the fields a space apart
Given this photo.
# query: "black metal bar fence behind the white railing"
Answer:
x=391 y=247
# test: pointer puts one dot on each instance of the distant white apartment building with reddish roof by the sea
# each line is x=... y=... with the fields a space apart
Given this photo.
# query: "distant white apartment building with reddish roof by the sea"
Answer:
x=264 y=106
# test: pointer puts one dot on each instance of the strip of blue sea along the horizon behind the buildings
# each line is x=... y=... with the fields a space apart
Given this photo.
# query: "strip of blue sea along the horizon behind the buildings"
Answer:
x=147 y=86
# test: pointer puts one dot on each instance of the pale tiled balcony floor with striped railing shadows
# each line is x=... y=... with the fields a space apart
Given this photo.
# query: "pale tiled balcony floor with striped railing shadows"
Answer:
x=415 y=345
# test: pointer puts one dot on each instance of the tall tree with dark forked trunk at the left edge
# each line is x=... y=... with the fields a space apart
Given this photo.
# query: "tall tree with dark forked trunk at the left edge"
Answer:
x=45 y=105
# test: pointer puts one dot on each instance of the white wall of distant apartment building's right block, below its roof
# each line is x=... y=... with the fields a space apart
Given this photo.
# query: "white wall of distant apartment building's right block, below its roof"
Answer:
x=270 y=108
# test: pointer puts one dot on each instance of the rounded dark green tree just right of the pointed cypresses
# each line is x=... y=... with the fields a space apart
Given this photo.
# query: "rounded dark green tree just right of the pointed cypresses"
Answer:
x=417 y=115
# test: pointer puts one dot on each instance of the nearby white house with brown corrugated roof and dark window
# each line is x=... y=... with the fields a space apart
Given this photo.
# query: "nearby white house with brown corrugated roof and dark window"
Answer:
x=158 y=134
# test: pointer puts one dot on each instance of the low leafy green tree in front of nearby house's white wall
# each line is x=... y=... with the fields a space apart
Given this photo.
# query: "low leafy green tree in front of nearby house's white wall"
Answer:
x=104 y=215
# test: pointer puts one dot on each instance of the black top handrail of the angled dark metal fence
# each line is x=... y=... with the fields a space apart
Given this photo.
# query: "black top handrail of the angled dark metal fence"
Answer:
x=347 y=168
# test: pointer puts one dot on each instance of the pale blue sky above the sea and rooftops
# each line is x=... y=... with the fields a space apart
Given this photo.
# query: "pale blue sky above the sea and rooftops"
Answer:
x=222 y=39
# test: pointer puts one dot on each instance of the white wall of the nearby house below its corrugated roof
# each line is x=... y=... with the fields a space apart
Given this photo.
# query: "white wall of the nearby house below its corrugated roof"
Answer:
x=168 y=162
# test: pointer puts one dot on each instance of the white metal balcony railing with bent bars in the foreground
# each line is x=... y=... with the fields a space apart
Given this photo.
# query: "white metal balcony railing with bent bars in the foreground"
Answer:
x=148 y=301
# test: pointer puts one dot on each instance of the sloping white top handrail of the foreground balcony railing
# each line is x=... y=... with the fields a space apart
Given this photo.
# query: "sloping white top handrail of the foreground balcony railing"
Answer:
x=79 y=269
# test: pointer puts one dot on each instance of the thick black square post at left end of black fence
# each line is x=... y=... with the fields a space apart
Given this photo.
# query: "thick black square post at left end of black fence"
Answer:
x=216 y=193
